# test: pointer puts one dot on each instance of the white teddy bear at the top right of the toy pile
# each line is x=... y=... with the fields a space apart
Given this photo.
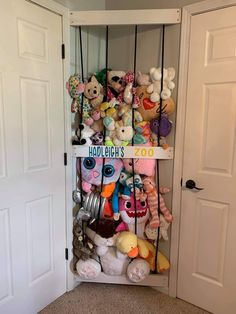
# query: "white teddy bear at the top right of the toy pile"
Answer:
x=155 y=87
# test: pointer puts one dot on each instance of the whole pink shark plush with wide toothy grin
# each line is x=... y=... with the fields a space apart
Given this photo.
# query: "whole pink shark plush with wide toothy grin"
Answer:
x=127 y=212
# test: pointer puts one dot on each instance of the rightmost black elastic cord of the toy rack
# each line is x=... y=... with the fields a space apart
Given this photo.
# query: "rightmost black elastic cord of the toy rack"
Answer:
x=157 y=162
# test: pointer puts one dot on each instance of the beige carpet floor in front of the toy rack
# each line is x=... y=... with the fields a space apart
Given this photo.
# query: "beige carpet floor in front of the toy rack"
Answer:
x=91 y=298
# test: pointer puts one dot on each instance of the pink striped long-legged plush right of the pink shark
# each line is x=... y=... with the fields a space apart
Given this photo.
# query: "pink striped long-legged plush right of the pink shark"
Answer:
x=152 y=200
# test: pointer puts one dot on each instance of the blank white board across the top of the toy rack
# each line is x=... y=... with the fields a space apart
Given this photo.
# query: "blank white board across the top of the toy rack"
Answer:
x=125 y=17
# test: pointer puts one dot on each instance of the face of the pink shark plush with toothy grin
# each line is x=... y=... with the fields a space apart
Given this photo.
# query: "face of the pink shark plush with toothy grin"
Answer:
x=127 y=210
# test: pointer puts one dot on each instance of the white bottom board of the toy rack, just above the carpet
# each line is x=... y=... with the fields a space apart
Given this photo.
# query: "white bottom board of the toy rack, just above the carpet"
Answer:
x=152 y=280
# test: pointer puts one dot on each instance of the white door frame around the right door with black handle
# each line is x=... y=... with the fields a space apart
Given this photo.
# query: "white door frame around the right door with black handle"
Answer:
x=187 y=13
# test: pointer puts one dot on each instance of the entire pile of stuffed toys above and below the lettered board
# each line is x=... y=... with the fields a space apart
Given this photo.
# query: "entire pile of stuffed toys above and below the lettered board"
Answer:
x=116 y=109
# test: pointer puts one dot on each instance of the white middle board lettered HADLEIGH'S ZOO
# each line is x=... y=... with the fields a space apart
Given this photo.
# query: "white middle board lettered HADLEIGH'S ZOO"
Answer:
x=122 y=152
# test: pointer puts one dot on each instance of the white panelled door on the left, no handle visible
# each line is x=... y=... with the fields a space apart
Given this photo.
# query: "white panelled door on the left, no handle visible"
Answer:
x=32 y=178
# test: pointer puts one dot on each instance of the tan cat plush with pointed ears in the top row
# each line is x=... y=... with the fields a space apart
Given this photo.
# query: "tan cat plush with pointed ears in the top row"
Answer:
x=94 y=92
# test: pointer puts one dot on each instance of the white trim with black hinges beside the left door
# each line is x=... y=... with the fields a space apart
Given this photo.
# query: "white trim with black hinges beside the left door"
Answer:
x=64 y=13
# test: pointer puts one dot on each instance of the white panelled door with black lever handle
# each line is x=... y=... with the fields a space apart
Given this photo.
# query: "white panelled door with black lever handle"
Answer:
x=207 y=255
